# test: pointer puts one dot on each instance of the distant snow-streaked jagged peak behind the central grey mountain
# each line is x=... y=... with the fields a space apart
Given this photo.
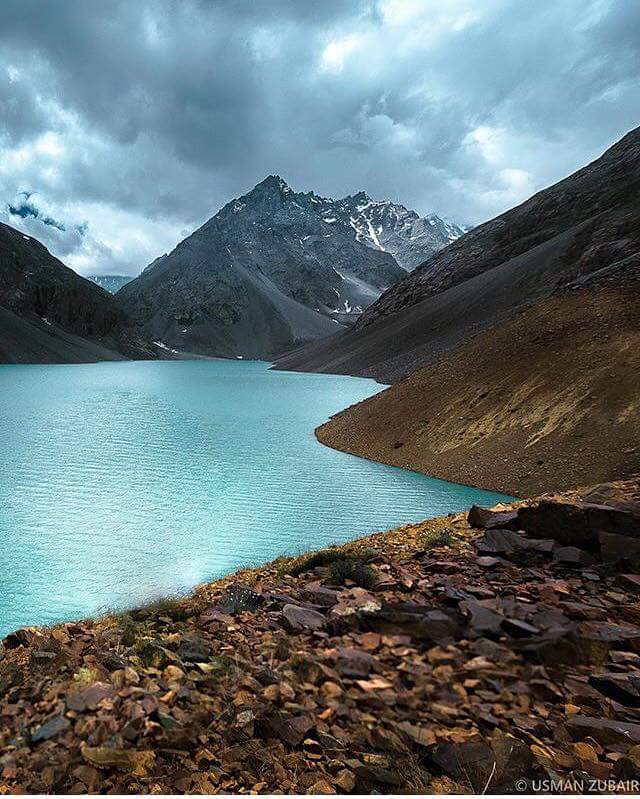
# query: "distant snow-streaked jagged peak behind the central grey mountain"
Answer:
x=391 y=227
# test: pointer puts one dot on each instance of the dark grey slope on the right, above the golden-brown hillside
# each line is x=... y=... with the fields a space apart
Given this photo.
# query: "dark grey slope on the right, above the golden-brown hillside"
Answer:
x=584 y=224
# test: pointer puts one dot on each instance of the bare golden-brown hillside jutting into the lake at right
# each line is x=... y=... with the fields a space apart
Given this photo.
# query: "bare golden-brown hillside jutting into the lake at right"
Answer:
x=549 y=400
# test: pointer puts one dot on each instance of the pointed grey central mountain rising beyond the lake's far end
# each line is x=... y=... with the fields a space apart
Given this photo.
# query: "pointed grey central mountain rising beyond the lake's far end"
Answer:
x=269 y=270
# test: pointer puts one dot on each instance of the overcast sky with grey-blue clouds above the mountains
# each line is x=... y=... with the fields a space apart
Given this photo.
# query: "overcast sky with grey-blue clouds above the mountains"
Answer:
x=124 y=125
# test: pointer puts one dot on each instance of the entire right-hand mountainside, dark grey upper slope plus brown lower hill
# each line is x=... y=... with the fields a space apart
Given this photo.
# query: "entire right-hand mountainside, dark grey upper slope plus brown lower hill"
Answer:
x=519 y=345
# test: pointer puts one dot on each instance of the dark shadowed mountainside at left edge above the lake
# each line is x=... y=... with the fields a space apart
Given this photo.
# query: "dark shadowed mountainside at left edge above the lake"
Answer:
x=49 y=314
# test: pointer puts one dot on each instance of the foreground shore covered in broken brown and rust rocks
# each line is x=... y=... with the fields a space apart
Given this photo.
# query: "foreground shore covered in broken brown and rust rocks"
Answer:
x=482 y=654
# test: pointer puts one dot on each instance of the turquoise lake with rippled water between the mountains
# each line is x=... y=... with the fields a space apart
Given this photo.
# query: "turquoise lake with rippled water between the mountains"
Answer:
x=123 y=481
